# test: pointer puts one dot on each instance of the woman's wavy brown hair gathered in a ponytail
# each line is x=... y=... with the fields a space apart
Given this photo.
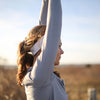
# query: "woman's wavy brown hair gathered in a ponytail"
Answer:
x=25 y=57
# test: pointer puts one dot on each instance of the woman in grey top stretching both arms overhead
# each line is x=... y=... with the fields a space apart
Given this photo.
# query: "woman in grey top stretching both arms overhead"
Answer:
x=38 y=54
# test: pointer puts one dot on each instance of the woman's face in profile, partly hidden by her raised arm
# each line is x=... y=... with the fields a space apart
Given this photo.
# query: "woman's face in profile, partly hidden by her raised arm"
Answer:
x=59 y=53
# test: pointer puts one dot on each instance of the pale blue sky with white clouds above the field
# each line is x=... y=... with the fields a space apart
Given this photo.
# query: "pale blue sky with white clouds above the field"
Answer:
x=80 y=29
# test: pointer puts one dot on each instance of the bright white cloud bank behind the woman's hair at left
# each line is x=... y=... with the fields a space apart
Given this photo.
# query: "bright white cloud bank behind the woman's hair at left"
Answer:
x=13 y=29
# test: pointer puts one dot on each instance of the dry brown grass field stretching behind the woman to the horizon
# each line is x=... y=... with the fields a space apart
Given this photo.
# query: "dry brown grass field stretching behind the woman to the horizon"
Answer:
x=77 y=81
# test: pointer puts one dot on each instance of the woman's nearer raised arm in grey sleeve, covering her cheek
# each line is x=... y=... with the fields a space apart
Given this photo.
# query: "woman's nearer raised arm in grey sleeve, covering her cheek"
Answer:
x=44 y=65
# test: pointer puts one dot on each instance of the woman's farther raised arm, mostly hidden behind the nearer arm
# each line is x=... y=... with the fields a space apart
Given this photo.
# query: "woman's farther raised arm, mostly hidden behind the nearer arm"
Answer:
x=43 y=13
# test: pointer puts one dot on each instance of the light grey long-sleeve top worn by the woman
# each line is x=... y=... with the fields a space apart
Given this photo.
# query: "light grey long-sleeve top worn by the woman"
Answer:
x=40 y=81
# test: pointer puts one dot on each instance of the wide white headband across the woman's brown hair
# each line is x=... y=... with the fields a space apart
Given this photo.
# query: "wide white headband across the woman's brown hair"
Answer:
x=37 y=46
